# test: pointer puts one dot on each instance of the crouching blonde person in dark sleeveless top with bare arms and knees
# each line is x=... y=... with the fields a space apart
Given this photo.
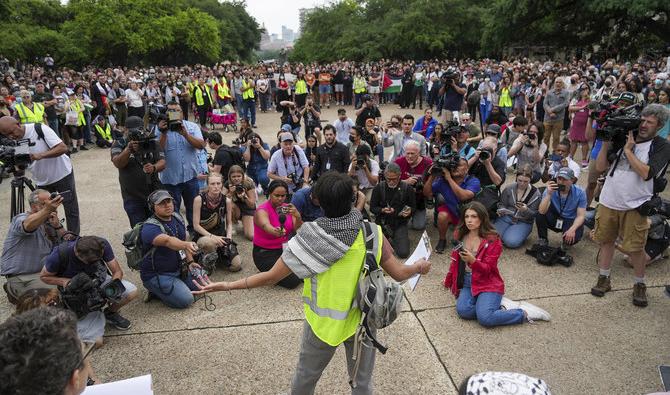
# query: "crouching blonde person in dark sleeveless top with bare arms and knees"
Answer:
x=212 y=222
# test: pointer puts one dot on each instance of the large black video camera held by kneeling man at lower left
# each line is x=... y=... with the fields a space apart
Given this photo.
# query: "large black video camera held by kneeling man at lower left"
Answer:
x=85 y=294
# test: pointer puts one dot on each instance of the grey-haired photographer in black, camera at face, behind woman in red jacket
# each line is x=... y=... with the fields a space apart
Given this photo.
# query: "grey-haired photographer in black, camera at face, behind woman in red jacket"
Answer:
x=491 y=171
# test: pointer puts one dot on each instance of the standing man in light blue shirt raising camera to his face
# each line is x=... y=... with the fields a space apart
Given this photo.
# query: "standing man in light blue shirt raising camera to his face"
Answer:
x=181 y=148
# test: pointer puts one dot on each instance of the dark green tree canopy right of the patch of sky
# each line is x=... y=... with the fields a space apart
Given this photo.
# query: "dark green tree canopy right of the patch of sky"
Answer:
x=422 y=29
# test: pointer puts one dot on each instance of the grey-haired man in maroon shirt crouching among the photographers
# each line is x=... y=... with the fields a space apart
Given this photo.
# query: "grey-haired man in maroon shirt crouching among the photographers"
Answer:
x=413 y=171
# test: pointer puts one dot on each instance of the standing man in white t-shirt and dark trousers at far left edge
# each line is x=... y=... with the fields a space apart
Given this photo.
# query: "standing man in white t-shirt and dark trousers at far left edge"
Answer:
x=50 y=166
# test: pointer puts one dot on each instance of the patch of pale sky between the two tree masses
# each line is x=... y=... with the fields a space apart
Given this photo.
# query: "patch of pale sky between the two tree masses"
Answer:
x=275 y=13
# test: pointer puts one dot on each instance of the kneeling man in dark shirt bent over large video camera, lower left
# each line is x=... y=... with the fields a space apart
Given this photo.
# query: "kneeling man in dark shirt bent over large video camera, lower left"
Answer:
x=89 y=278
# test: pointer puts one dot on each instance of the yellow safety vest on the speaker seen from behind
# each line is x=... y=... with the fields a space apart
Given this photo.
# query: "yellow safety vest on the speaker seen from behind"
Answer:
x=328 y=297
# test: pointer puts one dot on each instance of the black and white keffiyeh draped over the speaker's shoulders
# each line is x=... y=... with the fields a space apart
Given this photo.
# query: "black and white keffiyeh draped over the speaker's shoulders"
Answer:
x=319 y=244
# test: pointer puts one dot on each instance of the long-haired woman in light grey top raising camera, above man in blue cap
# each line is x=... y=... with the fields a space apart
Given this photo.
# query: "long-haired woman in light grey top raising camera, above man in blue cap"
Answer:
x=529 y=149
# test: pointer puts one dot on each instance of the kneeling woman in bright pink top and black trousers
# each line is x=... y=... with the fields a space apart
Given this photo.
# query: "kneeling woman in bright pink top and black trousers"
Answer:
x=270 y=235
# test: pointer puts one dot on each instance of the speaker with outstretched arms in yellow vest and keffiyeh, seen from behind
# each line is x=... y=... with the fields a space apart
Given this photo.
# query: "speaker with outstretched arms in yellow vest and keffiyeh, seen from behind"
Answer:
x=328 y=254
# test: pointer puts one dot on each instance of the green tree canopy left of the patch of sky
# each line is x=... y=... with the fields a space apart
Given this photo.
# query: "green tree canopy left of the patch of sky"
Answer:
x=125 y=32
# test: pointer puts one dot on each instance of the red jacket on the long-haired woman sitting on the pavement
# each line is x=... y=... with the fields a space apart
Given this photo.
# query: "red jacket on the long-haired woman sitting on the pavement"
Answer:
x=485 y=274
